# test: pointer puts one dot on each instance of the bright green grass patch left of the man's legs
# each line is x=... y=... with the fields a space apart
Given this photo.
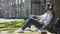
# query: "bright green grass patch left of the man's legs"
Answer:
x=11 y=25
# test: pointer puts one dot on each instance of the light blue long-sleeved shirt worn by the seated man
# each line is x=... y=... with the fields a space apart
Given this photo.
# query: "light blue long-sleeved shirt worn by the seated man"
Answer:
x=46 y=17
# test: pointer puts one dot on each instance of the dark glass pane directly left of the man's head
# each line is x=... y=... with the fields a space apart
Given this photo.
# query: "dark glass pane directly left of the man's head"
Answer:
x=37 y=7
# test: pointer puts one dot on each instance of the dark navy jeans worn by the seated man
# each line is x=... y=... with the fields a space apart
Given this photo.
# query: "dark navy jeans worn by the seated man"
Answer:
x=32 y=21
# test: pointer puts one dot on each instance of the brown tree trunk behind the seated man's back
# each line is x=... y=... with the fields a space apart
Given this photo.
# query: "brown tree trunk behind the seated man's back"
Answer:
x=56 y=9
